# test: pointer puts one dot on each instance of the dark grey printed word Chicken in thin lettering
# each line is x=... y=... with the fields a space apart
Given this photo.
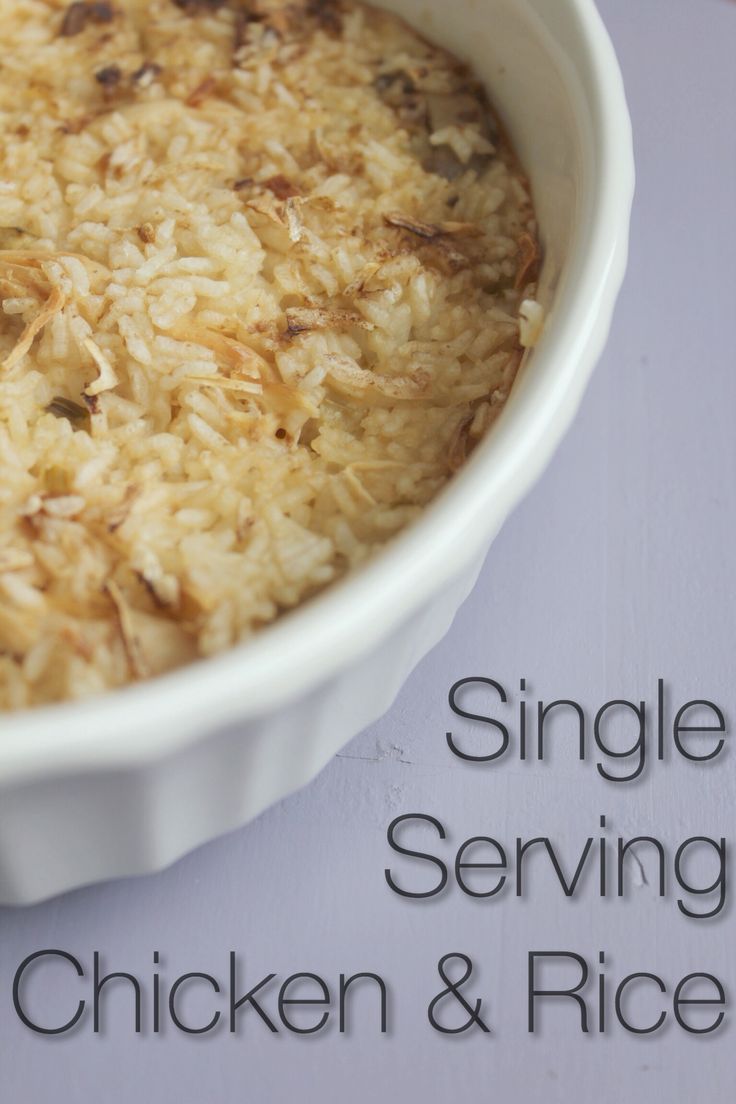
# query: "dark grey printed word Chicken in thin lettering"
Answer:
x=304 y=1004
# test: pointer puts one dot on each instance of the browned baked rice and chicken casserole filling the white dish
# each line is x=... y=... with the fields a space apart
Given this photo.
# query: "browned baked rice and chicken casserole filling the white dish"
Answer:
x=268 y=272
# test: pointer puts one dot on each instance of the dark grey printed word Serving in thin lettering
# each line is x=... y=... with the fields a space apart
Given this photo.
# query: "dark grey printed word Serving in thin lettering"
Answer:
x=606 y=866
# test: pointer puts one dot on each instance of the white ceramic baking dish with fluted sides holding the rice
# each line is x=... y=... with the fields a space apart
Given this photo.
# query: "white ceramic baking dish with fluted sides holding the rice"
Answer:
x=130 y=782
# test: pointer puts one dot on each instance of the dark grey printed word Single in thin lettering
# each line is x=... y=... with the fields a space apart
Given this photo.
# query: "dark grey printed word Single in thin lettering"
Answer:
x=623 y=736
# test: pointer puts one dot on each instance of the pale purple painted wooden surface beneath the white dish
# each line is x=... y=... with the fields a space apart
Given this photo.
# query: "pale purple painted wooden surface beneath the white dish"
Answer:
x=615 y=571
